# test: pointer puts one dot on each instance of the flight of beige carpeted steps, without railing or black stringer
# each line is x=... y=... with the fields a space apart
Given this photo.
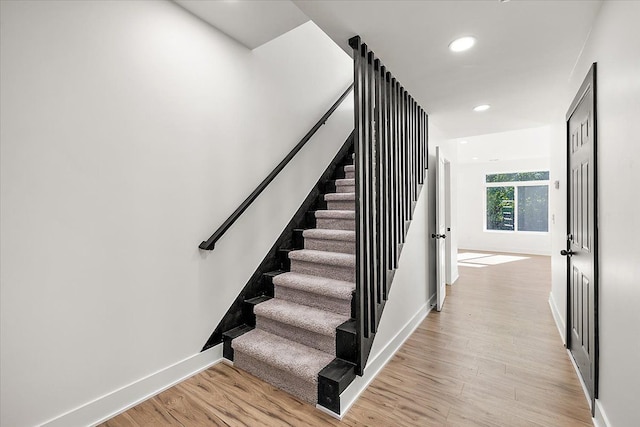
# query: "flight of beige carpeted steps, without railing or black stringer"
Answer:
x=295 y=332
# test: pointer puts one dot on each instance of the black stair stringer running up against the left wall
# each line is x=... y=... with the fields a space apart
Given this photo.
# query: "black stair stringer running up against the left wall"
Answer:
x=260 y=283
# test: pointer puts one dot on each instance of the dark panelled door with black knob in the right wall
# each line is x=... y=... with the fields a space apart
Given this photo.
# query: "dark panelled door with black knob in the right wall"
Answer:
x=582 y=241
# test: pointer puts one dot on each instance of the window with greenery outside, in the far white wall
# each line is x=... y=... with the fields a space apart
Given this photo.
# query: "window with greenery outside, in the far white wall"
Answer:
x=517 y=201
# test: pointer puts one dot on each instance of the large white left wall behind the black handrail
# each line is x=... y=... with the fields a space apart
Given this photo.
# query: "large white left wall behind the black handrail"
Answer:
x=129 y=132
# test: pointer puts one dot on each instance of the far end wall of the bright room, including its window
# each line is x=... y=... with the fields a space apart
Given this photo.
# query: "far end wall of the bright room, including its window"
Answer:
x=503 y=192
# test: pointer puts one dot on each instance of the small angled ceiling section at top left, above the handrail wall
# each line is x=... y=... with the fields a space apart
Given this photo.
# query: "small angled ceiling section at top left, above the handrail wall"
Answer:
x=252 y=23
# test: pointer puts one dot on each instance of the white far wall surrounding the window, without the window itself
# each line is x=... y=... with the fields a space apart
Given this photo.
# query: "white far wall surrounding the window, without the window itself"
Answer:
x=518 y=151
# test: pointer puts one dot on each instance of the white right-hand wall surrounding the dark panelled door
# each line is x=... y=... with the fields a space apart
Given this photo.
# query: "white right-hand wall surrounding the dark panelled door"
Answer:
x=613 y=43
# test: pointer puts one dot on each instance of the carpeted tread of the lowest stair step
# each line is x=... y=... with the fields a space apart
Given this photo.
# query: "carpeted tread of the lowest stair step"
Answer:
x=284 y=354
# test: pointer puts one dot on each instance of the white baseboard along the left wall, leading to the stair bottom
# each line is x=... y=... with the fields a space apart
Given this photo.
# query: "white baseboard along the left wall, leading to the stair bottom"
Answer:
x=118 y=401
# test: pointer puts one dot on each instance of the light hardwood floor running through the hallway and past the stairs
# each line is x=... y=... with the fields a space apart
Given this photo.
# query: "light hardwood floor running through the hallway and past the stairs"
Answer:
x=492 y=357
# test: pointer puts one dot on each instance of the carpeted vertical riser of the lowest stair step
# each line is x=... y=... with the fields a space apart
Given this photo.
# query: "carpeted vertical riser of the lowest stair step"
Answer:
x=305 y=390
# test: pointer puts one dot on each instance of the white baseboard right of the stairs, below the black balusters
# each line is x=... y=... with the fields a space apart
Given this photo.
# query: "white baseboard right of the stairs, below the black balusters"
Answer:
x=377 y=362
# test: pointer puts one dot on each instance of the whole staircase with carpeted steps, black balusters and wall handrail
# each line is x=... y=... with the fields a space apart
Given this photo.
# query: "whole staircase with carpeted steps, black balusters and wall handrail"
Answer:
x=307 y=318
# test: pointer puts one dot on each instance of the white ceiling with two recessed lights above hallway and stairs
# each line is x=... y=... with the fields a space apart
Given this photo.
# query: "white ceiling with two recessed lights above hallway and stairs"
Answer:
x=525 y=53
